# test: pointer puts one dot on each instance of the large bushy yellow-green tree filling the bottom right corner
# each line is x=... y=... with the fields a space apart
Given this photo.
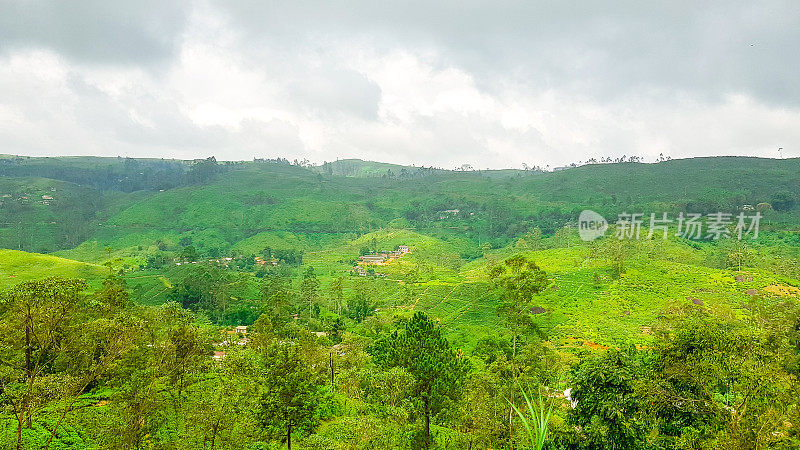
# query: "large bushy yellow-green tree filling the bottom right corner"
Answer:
x=727 y=384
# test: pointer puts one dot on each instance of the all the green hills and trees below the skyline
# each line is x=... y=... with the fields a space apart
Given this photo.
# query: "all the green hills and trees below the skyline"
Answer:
x=500 y=328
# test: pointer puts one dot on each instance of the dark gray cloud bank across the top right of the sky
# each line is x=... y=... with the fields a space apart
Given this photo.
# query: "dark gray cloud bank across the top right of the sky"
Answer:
x=603 y=49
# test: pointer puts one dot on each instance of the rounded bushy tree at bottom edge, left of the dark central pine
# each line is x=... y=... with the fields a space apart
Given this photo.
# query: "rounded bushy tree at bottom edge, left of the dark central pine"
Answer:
x=290 y=388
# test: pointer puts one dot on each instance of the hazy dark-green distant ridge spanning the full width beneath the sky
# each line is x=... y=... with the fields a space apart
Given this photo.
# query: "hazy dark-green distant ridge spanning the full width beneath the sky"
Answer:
x=245 y=199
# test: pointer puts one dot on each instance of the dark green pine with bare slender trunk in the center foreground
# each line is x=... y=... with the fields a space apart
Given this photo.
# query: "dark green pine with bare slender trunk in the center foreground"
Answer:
x=439 y=370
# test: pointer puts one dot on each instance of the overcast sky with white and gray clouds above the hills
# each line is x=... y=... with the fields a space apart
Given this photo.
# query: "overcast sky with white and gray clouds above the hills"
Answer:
x=492 y=84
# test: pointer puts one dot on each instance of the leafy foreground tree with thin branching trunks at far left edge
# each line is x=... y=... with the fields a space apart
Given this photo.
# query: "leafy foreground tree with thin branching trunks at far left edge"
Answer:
x=54 y=345
